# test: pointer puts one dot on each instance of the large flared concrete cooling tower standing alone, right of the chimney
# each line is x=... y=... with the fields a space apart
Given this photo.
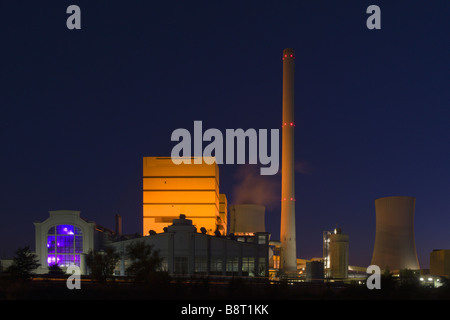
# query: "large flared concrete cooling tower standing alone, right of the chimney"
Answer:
x=395 y=246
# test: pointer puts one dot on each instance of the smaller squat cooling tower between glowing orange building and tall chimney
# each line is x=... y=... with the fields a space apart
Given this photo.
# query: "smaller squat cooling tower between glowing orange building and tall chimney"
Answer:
x=247 y=218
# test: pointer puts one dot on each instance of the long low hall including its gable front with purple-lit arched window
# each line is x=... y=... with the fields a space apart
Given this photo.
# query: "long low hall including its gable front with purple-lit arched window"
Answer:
x=65 y=238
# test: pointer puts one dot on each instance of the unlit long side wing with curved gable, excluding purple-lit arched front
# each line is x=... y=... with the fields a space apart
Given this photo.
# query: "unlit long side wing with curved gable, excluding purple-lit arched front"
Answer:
x=186 y=252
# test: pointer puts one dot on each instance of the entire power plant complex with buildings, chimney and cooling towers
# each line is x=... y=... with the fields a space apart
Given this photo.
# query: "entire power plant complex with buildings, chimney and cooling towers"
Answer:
x=197 y=232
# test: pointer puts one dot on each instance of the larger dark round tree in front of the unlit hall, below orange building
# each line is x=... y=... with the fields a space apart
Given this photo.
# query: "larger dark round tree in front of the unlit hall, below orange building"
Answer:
x=145 y=262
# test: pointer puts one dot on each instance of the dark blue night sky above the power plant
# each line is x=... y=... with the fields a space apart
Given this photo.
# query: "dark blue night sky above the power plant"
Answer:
x=80 y=108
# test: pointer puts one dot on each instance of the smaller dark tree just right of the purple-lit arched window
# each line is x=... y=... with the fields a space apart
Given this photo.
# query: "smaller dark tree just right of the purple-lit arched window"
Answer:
x=102 y=263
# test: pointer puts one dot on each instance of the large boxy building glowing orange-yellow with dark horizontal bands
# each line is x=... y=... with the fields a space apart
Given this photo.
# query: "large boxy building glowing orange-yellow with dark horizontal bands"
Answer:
x=190 y=189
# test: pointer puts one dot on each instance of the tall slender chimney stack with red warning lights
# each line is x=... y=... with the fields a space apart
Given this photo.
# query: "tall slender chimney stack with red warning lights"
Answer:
x=288 y=254
